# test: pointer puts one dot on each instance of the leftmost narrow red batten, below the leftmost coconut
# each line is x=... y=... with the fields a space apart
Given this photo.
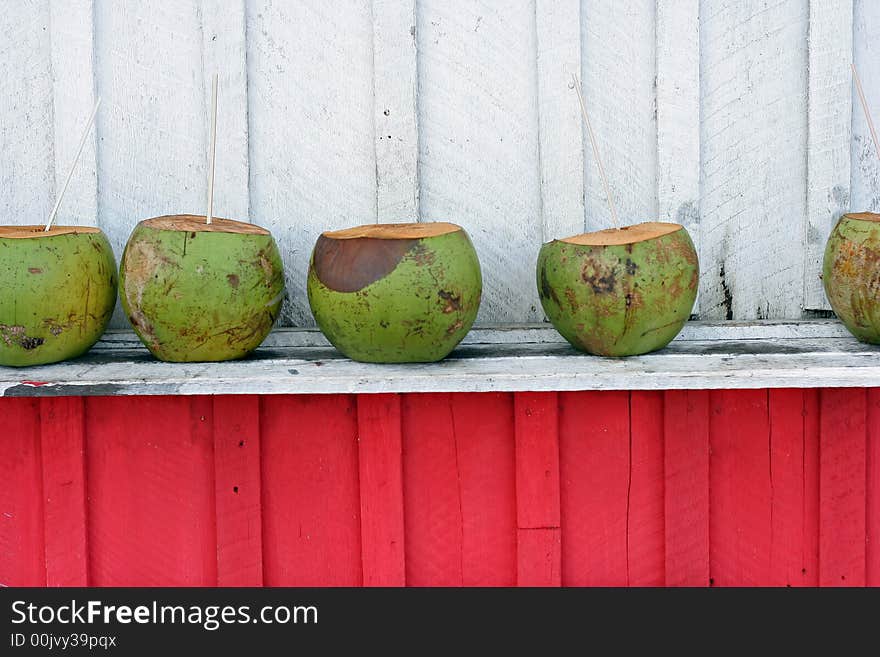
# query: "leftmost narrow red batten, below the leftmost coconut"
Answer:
x=62 y=430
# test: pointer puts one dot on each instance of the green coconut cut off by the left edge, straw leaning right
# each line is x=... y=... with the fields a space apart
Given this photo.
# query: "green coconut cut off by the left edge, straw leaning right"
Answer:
x=57 y=292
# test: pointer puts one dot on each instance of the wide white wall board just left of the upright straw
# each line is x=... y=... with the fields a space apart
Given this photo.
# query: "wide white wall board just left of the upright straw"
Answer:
x=153 y=121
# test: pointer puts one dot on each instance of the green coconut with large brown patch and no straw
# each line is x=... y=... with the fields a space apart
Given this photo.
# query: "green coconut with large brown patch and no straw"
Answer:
x=395 y=293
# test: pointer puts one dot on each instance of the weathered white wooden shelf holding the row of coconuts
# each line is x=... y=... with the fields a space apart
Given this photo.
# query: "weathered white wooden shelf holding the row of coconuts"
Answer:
x=706 y=355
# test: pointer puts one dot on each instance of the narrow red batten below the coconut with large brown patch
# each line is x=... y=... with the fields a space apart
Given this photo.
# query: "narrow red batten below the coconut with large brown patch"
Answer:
x=380 y=461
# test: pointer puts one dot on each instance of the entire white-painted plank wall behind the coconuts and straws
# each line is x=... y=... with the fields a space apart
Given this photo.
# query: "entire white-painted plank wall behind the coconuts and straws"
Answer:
x=734 y=117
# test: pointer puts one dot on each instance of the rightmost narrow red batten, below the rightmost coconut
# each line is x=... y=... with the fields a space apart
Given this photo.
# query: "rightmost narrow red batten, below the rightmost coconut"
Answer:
x=842 y=470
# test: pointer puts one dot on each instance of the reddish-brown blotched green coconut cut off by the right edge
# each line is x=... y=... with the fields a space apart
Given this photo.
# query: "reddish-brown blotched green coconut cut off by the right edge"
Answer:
x=851 y=274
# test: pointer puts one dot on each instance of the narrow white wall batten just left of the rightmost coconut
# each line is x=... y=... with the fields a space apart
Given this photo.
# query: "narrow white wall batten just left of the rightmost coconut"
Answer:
x=829 y=134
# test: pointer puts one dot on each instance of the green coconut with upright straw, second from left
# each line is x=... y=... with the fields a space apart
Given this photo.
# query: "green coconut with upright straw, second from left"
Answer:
x=195 y=291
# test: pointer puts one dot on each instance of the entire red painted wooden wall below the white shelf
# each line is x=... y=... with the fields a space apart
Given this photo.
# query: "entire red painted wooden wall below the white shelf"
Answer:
x=778 y=487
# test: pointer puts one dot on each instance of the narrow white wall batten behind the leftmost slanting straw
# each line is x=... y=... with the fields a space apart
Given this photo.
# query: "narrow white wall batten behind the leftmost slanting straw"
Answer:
x=73 y=78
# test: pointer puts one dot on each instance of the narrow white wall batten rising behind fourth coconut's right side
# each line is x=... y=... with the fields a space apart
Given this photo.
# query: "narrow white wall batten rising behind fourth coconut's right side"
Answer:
x=678 y=115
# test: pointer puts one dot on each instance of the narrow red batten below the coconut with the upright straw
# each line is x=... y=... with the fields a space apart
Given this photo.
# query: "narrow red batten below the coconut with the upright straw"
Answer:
x=237 y=489
